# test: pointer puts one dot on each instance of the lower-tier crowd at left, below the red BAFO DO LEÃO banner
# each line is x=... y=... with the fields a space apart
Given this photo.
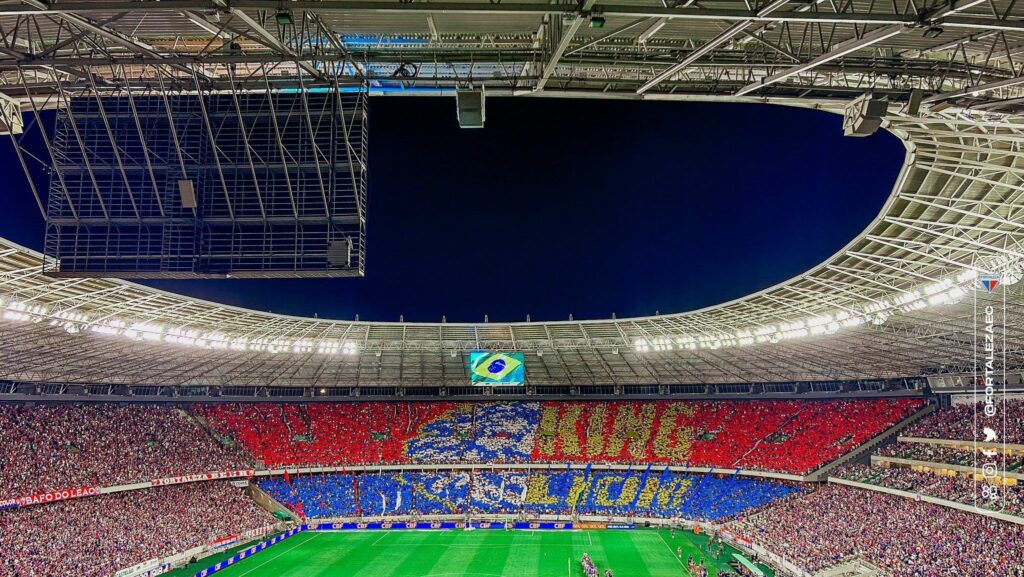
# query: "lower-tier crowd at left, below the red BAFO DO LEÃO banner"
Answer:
x=99 y=537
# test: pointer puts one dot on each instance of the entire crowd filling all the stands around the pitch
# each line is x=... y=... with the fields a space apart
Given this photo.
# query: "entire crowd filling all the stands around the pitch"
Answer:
x=49 y=448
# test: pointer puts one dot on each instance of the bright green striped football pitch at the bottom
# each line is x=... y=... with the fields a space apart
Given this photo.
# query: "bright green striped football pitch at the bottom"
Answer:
x=476 y=554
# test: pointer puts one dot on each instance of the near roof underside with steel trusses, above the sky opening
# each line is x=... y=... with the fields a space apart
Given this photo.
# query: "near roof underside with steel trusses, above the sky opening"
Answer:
x=961 y=52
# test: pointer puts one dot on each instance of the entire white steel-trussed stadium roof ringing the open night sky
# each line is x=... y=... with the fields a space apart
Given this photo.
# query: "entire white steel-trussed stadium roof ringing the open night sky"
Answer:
x=899 y=301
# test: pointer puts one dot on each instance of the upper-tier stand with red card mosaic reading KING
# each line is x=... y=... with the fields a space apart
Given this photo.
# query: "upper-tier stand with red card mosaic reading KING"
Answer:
x=792 y=437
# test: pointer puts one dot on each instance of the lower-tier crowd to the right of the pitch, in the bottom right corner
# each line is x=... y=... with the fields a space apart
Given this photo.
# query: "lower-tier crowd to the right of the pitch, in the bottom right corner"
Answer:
x=905 y=538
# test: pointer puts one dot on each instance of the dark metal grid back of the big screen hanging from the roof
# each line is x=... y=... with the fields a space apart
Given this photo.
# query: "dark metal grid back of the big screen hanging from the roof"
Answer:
x=185 y=186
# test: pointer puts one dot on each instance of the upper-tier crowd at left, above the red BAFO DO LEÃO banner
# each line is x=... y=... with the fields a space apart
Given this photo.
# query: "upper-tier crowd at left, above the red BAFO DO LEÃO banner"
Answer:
x=57 y=447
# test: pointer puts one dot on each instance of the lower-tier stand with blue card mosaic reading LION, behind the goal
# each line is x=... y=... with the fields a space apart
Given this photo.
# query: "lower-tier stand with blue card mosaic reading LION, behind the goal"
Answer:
x=642 y=493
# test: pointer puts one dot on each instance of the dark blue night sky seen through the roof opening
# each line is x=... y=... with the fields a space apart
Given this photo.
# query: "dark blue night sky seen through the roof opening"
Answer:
x=583 y=208
